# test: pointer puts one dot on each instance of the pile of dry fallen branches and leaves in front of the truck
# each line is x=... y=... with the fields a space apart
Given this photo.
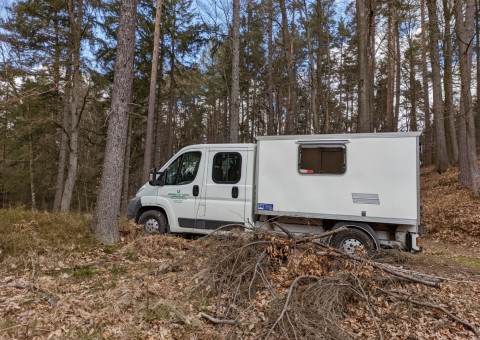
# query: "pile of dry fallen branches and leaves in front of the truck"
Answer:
x=302 y=288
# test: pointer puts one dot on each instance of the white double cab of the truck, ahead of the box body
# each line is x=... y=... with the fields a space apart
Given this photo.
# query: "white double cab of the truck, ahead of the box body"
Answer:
x=201 y=188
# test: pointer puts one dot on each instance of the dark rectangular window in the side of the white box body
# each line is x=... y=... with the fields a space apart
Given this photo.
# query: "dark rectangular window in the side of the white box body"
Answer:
x=322 y=159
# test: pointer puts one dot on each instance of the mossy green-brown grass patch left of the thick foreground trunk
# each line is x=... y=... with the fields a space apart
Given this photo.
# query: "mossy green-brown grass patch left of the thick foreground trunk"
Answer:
x=24 y=231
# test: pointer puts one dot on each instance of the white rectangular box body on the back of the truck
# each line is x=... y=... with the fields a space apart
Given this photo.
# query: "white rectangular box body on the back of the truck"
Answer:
x=380 y=182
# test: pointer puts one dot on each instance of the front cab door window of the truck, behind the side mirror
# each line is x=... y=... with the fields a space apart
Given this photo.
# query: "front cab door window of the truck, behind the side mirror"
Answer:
x=184 y=169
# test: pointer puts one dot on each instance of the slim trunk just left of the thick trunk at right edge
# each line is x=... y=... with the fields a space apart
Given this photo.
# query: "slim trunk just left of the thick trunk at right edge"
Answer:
x=448 y=87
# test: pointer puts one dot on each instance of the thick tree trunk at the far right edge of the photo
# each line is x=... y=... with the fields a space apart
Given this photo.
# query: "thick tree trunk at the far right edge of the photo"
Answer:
x=469 y=174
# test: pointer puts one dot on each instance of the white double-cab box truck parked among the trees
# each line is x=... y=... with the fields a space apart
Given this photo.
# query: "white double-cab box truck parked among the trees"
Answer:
x=369 y=183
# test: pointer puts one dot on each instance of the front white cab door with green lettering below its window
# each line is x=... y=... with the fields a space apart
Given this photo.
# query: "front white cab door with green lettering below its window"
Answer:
x=182 y=187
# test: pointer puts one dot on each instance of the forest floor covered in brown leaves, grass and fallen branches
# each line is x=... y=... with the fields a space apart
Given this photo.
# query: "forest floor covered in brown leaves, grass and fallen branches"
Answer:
x=57 y=283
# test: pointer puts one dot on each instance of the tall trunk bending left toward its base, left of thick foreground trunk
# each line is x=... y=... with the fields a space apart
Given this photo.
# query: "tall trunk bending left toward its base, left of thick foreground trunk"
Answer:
x=76 y=29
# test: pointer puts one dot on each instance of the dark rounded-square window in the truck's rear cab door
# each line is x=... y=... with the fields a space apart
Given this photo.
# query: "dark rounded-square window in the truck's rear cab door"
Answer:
x=227 y=168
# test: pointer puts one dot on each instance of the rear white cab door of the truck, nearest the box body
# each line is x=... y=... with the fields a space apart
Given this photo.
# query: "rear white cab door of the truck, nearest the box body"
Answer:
x=224 y=196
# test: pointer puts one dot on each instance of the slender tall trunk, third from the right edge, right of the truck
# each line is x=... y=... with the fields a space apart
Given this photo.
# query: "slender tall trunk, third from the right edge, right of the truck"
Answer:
x=442 y=162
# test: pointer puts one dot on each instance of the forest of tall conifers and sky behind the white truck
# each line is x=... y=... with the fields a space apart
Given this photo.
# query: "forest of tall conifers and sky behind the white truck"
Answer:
x=226 y=71
